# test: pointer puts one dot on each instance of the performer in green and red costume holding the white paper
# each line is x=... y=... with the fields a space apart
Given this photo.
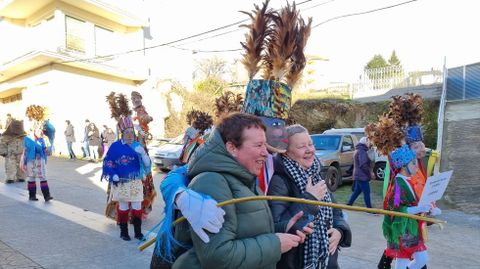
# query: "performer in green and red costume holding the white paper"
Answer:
x=405 y=239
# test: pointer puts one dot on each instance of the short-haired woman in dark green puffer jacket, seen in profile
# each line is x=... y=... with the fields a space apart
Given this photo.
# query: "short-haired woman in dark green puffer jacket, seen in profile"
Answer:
x=225 y=167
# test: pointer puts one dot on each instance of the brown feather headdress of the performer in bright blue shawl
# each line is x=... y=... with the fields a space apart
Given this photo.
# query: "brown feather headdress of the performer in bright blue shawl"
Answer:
x=120 y=110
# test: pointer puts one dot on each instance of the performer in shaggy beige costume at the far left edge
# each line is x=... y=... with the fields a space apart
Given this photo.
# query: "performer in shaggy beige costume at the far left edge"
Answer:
x=11 y=147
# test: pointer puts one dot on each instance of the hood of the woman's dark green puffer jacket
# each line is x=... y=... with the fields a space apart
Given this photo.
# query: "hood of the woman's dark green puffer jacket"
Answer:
x=212 y=156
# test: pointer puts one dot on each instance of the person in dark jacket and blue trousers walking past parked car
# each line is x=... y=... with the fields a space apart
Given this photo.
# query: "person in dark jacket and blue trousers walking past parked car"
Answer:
x=361 y=173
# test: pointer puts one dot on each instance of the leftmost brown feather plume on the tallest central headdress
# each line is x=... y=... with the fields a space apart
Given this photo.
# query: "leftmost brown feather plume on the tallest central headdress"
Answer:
x=255 y=38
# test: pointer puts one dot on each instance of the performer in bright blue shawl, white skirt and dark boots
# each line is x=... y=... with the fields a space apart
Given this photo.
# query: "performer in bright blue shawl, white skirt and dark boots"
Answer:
x=124 y=166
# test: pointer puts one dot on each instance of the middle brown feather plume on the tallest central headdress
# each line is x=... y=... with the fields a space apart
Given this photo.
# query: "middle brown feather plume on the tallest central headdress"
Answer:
x=281 y=42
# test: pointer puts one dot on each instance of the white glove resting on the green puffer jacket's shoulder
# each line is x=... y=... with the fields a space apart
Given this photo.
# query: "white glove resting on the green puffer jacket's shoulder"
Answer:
x=201 y=212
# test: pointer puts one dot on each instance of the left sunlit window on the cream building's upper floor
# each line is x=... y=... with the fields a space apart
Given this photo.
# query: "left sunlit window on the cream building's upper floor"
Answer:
x=76 y=34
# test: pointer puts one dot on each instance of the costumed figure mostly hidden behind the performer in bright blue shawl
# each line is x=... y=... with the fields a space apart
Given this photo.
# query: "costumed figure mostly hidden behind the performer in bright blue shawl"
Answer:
x=143 y=136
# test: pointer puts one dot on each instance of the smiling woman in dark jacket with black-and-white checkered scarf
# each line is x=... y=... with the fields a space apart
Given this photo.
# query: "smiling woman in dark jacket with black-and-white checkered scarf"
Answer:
x=297 y=175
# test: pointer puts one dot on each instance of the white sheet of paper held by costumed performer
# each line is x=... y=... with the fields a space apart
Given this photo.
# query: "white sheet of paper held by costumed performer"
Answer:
x=435 y=187
